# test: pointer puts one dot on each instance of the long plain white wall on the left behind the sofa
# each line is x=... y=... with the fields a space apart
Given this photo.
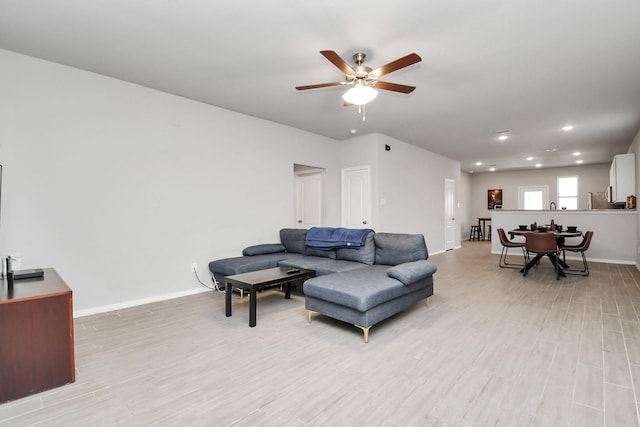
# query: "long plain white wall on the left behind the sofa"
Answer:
x=120 y=187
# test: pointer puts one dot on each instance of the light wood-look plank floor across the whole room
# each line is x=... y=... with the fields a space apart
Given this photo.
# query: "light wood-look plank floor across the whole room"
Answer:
x=493 y=349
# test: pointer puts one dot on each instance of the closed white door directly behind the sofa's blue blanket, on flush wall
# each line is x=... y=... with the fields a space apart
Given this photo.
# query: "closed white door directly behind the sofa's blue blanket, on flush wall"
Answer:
x=356 y=197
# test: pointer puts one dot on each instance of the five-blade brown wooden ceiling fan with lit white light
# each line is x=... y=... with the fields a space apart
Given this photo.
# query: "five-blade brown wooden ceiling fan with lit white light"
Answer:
x=363 y=78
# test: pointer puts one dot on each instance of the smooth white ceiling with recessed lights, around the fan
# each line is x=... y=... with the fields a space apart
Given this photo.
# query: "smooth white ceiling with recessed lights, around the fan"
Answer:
x=487 y=65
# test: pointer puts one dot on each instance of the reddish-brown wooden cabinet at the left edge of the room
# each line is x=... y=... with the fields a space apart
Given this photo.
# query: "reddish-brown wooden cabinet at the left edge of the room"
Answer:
x=36 y=336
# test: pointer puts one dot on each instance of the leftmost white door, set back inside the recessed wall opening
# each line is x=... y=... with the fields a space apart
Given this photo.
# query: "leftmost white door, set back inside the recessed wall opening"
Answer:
x=309 y=199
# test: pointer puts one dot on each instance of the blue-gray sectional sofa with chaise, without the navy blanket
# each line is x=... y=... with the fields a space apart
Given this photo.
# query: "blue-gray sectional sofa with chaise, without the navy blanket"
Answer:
x=359 y=285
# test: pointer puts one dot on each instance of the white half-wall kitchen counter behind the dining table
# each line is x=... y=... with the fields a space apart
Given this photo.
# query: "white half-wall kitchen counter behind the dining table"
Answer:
x=614 y=230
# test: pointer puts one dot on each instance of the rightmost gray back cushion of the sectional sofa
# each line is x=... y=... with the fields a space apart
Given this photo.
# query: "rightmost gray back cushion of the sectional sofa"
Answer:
x=396 y=248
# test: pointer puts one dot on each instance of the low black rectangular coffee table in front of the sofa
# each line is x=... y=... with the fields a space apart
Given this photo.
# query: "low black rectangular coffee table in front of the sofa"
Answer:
x=256 y=280
